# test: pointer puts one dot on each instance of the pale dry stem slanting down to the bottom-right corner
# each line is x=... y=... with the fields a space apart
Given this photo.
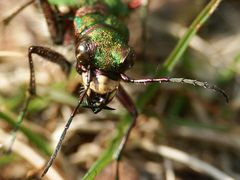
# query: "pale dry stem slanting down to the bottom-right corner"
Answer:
x=184 y=158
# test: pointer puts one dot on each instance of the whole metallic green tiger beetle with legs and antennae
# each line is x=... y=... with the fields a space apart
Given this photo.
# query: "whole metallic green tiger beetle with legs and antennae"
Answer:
x=102 y=58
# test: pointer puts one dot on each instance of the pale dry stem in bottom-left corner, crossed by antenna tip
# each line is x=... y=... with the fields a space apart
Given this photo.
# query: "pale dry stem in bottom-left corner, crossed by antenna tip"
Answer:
x=29 y=154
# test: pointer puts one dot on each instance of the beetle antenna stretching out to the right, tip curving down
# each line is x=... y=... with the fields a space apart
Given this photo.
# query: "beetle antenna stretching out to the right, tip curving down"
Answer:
x=176 y=80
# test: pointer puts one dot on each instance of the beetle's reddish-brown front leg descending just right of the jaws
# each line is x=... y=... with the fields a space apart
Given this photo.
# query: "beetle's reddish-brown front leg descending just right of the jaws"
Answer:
x=126 y=101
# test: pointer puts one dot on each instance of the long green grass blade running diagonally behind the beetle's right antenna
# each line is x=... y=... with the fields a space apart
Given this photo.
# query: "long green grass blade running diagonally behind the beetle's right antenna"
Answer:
x=168 y=66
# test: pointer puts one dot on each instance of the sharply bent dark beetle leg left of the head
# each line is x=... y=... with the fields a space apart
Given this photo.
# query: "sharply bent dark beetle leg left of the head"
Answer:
x=49 y=55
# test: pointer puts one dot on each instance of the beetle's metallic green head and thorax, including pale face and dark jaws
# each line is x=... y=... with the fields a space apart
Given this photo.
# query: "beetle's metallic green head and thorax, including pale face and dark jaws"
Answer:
x=101 y=47
